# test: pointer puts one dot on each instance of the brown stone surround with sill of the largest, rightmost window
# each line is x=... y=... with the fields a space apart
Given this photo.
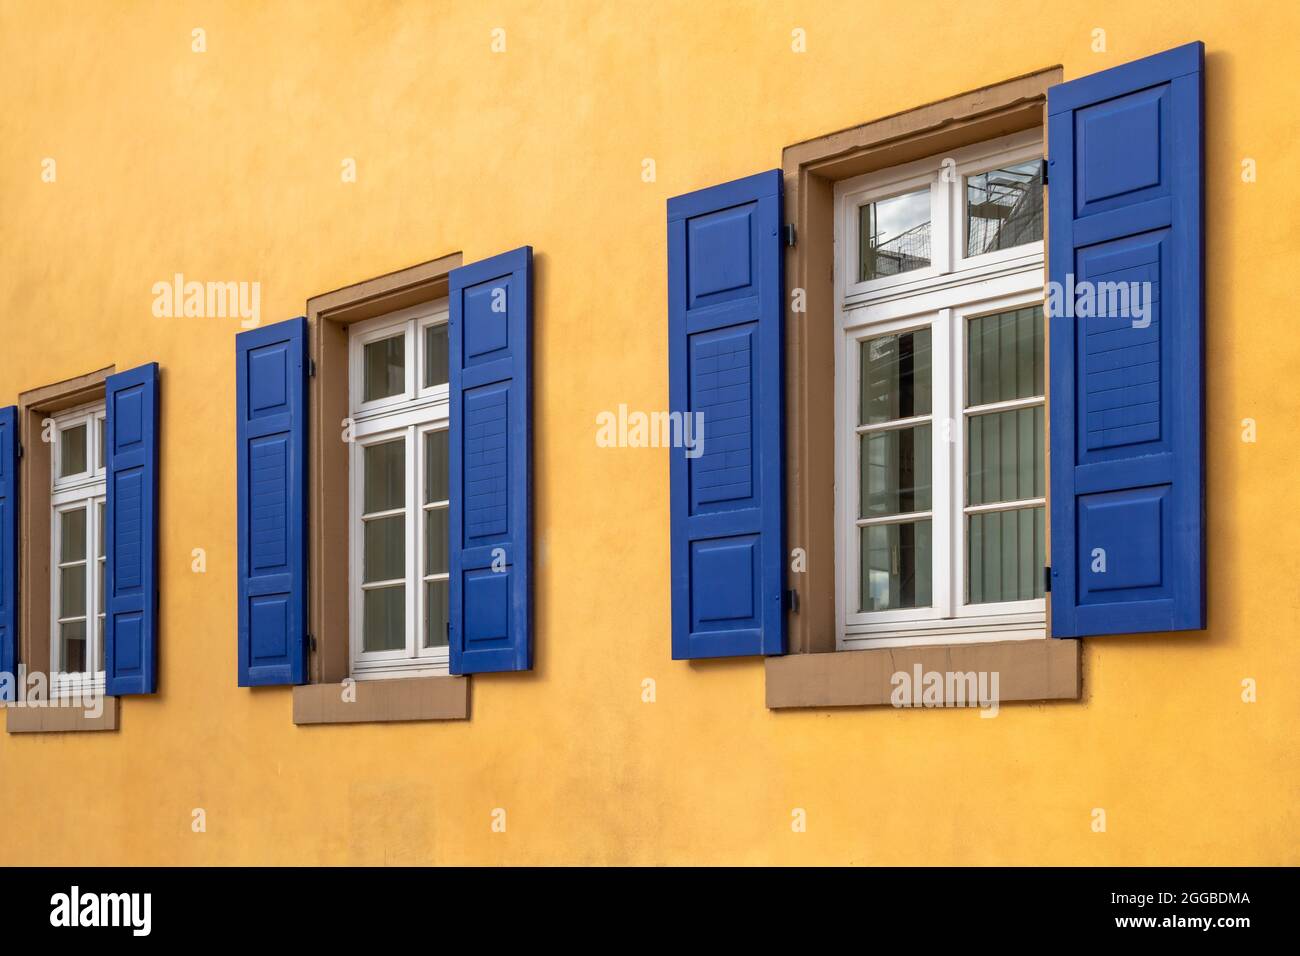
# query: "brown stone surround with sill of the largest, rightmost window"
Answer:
x=811 y=171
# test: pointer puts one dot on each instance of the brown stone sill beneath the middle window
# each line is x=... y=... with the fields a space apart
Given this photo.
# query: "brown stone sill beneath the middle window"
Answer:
x=379 y=702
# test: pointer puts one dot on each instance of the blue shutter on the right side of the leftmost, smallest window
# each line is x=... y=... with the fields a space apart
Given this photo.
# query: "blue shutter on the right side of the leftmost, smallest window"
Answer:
x=132 y=533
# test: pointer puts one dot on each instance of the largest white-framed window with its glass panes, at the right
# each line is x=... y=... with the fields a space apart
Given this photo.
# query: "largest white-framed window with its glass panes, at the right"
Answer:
x=941 y=438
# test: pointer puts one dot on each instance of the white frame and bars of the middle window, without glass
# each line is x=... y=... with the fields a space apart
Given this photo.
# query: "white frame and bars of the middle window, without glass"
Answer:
x=408 y=417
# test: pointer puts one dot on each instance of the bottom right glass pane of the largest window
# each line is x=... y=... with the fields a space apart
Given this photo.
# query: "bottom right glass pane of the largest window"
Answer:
x=1006 y=556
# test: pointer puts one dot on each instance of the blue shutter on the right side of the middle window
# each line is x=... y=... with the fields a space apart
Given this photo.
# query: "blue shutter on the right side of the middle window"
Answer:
x=492 y=471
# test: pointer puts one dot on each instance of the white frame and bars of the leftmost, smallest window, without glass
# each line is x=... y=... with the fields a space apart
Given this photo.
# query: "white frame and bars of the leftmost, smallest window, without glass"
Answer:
x=88 y=490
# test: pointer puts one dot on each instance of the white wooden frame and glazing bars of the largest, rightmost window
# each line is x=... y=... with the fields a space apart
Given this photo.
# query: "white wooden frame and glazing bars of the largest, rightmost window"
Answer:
x=944 y=297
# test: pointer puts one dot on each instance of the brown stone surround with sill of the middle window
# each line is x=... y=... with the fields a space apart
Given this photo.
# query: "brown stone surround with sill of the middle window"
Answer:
x=414 y=699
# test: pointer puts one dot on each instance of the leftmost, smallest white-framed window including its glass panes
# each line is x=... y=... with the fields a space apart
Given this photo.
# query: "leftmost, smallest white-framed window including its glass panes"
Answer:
x=77 y=550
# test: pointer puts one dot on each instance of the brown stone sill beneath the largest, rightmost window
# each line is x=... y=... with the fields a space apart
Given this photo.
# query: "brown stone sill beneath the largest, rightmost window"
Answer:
x=1033 y=671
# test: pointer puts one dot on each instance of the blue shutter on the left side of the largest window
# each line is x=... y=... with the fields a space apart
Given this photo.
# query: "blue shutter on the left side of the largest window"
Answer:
x=725 y=364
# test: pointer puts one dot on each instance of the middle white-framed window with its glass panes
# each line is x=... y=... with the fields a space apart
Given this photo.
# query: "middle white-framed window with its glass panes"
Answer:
x=398 y=475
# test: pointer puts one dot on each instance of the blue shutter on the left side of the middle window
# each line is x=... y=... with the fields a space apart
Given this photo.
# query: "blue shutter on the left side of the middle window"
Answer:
x=271 y=431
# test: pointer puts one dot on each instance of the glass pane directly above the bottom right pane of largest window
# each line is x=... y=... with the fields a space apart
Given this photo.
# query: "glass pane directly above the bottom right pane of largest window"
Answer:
x=1004 y=456
